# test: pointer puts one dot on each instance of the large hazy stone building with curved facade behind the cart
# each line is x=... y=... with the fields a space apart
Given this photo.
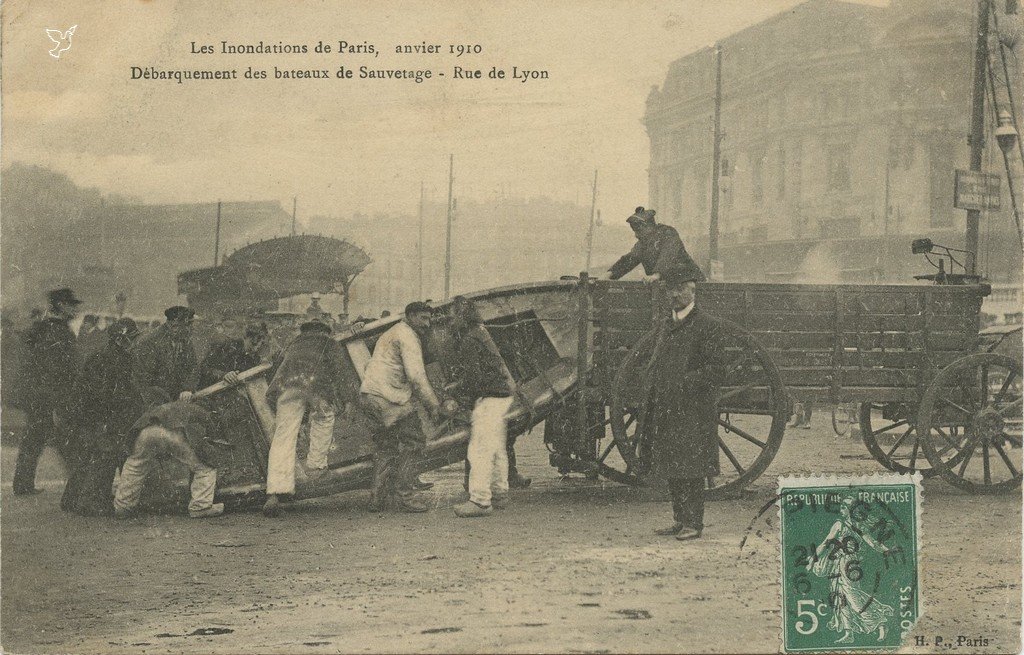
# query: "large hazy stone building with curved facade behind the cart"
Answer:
x=843 y=124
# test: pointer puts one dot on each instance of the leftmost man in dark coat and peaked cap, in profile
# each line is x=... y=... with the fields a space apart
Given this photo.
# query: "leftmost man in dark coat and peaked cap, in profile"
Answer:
x=48 y=377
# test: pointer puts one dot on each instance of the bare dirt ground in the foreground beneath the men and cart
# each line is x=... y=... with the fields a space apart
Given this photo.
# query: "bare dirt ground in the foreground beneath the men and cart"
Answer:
x=572 y=566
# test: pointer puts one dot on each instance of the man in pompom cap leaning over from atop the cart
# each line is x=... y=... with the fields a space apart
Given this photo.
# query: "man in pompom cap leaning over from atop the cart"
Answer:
x=658 y=249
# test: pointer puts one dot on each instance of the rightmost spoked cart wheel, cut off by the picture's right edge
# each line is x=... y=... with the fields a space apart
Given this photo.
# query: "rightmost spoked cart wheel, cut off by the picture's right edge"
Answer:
x=984 y=394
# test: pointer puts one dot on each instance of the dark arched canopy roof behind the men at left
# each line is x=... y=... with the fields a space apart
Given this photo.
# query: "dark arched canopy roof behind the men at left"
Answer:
x=254 y=278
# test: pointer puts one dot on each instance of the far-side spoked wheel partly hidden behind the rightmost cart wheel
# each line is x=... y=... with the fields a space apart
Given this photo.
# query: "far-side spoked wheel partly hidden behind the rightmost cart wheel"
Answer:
x=890 y=432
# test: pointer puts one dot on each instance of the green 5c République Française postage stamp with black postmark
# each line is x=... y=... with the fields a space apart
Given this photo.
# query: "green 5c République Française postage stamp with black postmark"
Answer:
x=849 y=555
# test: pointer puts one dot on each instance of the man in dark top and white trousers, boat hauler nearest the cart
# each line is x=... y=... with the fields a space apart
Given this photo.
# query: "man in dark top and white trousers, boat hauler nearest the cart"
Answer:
x=487 y=384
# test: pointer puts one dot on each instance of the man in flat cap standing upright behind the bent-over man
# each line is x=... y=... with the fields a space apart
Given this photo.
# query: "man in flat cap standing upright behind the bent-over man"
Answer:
x=166 y=367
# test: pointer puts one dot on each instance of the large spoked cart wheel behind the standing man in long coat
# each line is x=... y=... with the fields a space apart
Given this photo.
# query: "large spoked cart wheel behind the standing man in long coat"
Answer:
x=753 y=404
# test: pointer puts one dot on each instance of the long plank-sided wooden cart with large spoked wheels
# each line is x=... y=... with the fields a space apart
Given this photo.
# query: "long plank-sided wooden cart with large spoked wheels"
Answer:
x=905 y=353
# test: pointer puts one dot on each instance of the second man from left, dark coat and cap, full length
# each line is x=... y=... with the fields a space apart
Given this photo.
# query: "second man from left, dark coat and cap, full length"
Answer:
x=106 y=404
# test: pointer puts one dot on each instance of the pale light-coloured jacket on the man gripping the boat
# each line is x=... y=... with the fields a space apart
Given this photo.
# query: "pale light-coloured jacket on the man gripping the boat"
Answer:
x=397 y=370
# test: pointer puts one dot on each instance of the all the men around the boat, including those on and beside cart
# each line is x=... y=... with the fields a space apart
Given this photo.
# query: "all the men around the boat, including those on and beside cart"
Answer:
x=132 y=403
